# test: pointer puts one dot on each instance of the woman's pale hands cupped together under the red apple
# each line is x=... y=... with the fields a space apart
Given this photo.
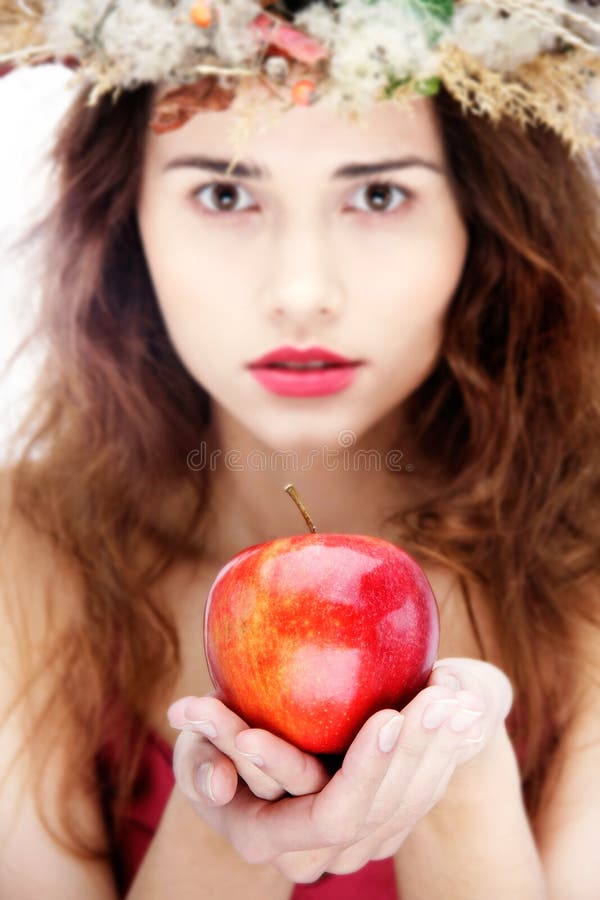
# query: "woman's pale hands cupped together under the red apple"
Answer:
x=396 y=770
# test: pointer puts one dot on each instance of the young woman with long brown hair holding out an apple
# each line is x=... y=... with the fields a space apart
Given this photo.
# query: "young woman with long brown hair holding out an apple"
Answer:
x=453 y=265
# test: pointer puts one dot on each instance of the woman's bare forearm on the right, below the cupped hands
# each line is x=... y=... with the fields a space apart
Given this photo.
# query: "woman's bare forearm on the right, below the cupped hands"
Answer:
x=479 y=834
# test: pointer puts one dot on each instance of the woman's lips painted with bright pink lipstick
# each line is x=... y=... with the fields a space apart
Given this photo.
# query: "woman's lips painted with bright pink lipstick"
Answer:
x=311 y=372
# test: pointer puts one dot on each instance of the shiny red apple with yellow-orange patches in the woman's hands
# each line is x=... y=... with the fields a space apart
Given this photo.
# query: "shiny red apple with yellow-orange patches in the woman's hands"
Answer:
x=309 y=635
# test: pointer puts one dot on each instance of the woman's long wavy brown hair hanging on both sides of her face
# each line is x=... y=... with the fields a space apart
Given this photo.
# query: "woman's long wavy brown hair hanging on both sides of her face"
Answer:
x=509 y=421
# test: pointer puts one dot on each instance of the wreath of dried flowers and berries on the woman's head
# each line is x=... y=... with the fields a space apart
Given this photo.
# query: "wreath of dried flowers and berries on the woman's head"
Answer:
x=537 y=61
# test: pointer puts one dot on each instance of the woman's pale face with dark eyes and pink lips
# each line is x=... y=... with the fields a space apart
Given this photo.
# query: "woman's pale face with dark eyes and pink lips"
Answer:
x=306 y=248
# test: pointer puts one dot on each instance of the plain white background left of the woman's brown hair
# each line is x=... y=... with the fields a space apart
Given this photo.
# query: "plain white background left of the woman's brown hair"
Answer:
x=32 y=102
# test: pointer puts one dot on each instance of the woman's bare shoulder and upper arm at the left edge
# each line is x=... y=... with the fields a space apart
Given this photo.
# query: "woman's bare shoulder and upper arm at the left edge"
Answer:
x=31 y=575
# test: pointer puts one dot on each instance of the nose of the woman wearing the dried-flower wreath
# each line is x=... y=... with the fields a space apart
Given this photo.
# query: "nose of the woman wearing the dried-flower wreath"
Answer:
x=302 y=284
